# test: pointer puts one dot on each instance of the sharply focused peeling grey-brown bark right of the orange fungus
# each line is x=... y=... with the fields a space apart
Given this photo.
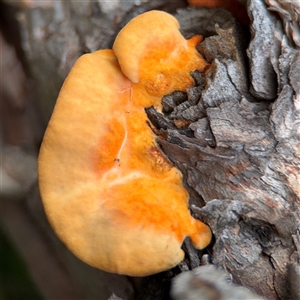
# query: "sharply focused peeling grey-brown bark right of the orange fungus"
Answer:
x=249 y=179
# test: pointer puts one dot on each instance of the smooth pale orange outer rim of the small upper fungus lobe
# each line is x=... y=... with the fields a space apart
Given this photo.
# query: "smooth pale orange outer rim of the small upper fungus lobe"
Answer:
x=131 y=46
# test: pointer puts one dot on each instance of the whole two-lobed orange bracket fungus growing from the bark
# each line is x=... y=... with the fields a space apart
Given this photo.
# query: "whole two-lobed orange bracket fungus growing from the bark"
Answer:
x=109 y=193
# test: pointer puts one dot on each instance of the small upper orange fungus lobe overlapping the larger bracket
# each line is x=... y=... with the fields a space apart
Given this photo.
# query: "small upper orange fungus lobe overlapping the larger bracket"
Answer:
x=154 y=55
